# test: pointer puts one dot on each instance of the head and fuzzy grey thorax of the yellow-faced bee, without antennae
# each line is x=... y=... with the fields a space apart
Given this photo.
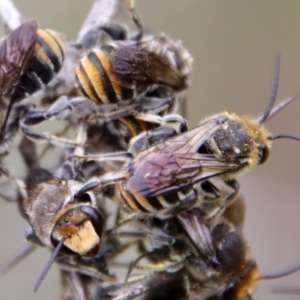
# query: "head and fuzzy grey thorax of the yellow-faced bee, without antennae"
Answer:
x=76 y=220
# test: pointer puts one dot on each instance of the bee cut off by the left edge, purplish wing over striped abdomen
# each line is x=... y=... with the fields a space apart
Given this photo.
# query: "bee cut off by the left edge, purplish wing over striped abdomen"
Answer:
x=29 y=57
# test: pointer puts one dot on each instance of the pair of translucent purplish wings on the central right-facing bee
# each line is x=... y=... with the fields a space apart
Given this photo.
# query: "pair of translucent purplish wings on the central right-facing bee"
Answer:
x=177 y=163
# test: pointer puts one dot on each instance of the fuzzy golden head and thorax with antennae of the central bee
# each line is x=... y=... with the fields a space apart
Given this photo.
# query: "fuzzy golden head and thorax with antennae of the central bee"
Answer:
x=244 y=139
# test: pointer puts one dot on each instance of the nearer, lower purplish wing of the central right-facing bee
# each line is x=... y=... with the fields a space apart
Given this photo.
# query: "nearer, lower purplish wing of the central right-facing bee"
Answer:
x=162 y=173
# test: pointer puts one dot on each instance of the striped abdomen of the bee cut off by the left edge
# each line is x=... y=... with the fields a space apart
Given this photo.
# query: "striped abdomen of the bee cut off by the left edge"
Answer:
x=47 y=61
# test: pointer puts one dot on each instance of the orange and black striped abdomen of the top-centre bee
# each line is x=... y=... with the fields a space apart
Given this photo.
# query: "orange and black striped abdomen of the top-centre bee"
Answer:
x=98 y=81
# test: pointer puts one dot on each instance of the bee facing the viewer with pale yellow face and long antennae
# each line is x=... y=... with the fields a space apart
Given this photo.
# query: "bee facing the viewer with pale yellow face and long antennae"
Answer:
x=73 y=227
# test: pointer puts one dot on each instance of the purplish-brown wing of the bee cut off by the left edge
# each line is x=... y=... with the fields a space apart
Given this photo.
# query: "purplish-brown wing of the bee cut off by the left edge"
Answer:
x=16 y=53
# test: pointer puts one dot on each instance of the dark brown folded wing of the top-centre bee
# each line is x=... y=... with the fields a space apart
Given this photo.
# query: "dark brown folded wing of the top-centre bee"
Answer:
x=136 y=66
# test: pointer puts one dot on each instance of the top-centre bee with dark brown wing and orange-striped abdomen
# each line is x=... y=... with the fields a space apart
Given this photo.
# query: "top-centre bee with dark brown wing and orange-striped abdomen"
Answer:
x=126 y=69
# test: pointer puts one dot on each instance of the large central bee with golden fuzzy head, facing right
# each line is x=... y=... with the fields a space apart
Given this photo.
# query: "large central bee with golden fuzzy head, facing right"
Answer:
x=160 y=179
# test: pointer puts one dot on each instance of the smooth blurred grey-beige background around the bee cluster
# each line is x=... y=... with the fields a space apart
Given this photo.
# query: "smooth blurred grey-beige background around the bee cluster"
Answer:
x=234 y=44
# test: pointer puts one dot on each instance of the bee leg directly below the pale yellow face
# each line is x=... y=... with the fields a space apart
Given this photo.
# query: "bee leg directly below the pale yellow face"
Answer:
x=94 y=267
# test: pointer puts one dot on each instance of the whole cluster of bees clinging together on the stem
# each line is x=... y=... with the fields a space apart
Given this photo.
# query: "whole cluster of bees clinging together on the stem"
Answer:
x=140 y=205
